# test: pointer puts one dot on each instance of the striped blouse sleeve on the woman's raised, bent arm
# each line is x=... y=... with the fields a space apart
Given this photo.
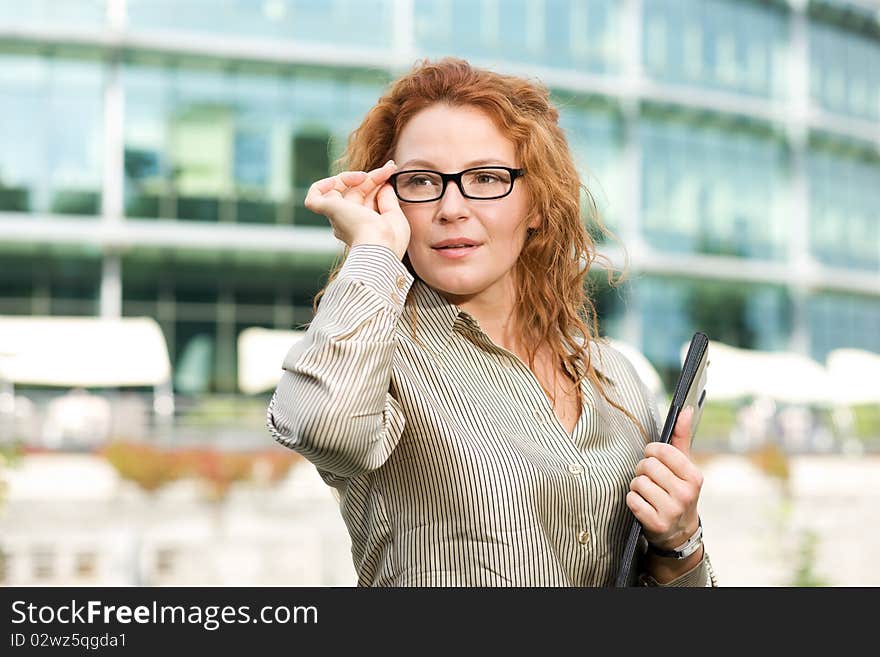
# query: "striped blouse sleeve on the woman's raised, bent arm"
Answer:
x=332 y=404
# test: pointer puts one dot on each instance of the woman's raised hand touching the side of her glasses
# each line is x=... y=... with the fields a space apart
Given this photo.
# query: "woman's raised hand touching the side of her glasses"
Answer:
x=362 y=208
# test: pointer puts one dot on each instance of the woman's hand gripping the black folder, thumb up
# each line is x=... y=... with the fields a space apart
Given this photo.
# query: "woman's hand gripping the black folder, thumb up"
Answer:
x=664 y=493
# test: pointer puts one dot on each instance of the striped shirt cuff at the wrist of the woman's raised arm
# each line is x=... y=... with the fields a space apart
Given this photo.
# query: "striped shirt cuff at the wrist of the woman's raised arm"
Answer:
x=379 y=269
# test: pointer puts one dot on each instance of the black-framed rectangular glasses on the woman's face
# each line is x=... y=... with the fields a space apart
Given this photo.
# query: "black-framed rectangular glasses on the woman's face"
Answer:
x=481 y=183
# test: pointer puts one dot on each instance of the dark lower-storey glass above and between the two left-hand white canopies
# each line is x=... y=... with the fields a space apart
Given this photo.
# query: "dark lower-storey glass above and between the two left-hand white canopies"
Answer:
x=204 y=300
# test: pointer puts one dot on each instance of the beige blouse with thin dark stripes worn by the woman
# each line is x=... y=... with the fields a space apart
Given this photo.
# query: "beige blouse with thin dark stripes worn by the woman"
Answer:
x=450 y=466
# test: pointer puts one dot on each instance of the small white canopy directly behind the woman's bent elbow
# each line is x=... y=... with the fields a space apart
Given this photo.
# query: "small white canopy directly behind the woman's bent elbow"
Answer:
x=260 y=355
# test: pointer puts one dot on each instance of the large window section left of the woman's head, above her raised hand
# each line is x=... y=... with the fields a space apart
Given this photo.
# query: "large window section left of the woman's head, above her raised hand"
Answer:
x=232 y=142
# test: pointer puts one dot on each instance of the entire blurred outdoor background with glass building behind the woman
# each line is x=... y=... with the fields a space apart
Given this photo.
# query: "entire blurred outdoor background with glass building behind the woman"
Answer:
x=156 y=262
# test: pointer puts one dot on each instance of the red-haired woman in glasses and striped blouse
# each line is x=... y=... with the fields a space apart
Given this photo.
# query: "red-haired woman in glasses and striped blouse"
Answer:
x=451 y=387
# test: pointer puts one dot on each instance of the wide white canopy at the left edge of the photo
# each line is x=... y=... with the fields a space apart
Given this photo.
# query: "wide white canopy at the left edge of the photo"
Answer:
x=83 y=351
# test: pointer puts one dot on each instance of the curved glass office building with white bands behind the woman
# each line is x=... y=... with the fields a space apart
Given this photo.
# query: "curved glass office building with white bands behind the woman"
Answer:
x=155 y=156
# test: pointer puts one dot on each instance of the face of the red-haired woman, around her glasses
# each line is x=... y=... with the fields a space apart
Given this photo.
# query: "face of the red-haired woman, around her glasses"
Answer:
x=450 y=139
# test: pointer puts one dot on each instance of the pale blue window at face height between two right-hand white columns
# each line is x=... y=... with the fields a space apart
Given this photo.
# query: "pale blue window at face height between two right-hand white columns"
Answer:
x=714 y=189
